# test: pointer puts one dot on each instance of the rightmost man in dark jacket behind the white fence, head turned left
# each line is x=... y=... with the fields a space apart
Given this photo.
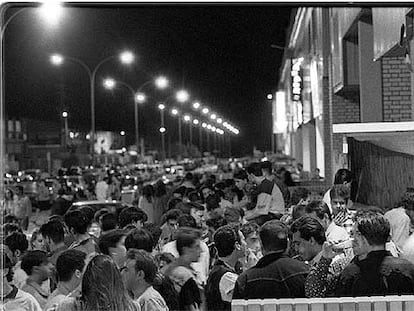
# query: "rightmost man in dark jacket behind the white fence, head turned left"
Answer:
x=374 y=271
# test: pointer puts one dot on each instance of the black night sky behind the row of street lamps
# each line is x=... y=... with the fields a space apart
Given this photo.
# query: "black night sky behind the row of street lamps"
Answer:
x=220 y=54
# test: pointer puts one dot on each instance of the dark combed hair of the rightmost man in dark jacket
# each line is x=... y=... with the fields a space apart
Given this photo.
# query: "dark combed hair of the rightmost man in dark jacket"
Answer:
x=374 y=227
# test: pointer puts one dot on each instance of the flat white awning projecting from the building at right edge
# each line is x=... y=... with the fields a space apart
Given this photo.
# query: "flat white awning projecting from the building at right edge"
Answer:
x=395 y=136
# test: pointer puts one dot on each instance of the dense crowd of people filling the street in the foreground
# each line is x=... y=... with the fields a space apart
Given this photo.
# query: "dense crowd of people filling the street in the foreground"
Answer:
x=204 y=243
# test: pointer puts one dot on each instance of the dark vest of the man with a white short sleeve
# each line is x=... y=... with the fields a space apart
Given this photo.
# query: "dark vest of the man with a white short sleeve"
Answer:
x=213 y=295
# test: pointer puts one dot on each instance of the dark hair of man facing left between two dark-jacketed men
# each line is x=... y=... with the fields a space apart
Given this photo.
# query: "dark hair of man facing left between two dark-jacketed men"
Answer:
x=309 y=227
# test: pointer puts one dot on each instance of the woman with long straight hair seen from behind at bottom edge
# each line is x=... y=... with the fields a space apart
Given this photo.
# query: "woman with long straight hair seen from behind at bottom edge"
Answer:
x=102 y=289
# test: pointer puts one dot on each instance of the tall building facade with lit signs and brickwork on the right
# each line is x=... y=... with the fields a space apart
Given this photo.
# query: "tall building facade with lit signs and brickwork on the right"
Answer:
x=347 y=82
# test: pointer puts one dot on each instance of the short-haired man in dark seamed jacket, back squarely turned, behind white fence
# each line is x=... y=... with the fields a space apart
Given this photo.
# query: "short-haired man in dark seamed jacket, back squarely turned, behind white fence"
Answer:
x=275 y=275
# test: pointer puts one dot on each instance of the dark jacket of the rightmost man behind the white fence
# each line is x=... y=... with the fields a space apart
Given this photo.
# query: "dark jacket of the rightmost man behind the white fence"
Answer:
x=378 y=274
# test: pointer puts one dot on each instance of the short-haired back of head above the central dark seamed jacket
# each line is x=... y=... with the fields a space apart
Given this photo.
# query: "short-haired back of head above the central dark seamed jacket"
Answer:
x=274 y=236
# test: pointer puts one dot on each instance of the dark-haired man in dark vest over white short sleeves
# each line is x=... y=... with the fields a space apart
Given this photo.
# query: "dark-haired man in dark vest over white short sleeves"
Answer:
x=230 y=245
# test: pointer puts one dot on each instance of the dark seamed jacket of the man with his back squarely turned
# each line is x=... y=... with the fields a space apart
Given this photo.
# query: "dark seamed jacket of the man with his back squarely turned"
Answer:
x=275 y=276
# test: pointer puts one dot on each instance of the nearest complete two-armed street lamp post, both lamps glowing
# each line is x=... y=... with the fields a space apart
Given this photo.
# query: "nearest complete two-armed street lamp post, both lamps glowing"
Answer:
x=125 y=58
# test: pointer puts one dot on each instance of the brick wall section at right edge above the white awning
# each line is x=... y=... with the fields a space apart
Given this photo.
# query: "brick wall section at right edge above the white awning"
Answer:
x=396 y=90
